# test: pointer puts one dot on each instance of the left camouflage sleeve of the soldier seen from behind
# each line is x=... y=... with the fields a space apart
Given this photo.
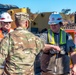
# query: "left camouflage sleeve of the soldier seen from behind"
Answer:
x=3 y=52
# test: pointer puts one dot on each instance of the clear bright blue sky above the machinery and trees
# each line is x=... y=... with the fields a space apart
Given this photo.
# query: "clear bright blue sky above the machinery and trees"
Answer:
x=43 y=5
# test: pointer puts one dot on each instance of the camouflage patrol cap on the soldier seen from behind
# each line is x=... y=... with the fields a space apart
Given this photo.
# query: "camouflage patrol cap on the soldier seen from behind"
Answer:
x=20 y=16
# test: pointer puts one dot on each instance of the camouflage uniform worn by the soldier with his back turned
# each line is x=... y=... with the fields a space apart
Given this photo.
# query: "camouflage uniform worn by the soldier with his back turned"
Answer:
x=19 y=49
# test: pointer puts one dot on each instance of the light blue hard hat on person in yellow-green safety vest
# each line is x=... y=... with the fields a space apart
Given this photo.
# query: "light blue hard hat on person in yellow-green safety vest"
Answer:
x=55 y=18
